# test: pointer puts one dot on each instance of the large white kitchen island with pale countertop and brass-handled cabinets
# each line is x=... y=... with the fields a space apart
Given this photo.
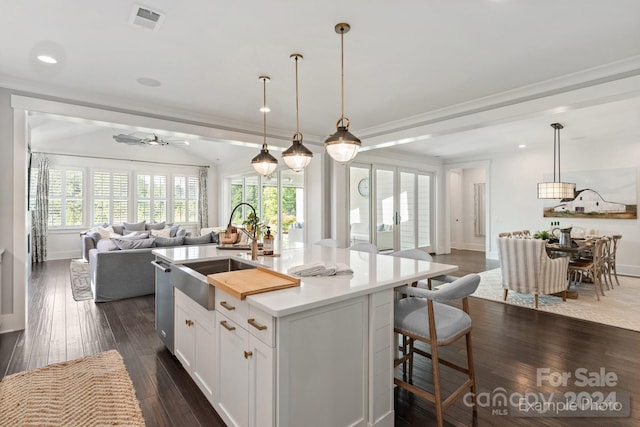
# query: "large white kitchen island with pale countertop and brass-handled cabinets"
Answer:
x=320 y=353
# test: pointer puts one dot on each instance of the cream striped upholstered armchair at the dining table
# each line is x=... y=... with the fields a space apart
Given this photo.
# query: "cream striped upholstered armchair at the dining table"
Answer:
x=526 y=268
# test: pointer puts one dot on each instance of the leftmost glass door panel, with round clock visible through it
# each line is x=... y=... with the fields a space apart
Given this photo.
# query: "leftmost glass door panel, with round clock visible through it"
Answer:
x=359 y=204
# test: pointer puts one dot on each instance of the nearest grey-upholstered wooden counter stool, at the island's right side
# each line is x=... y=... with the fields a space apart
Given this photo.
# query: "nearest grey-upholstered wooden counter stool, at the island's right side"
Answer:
x=424 y=316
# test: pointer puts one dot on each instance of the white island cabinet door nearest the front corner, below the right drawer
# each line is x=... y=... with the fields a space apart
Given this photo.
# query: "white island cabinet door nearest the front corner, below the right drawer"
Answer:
x=261 y=384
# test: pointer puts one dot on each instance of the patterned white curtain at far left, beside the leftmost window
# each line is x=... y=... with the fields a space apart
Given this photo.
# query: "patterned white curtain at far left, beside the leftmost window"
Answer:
x=40 y=214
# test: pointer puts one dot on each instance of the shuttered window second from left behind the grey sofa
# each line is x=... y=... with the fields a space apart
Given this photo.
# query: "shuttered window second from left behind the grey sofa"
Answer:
x=110 y=197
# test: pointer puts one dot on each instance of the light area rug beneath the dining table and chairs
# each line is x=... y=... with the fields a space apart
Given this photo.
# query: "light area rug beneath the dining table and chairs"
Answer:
x=619 y=307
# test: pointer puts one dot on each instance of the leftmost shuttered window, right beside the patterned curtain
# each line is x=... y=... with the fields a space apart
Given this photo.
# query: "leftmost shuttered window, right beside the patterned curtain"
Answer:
x=65 y=197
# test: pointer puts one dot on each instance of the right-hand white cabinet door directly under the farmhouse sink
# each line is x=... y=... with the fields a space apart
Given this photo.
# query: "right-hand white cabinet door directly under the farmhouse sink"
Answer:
x=205 y=352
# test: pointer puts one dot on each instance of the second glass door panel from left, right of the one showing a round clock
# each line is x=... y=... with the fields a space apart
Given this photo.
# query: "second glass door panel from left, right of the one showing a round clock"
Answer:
x=386 y=210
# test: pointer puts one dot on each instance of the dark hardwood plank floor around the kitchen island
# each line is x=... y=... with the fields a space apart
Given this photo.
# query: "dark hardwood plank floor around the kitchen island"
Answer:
x=509 y=343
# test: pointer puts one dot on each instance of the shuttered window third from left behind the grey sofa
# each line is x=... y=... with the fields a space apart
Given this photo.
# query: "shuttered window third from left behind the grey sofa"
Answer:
x=151 y=200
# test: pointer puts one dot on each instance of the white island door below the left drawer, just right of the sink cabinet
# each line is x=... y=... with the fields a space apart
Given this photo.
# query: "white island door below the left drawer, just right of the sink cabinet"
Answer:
x=233 y=371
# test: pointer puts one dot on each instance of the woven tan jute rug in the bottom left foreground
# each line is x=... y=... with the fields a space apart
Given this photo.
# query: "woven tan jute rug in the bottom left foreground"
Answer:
x=92 y=391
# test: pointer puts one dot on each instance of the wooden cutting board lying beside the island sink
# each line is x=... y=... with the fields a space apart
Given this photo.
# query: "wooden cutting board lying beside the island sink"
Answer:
x=241 y=283
